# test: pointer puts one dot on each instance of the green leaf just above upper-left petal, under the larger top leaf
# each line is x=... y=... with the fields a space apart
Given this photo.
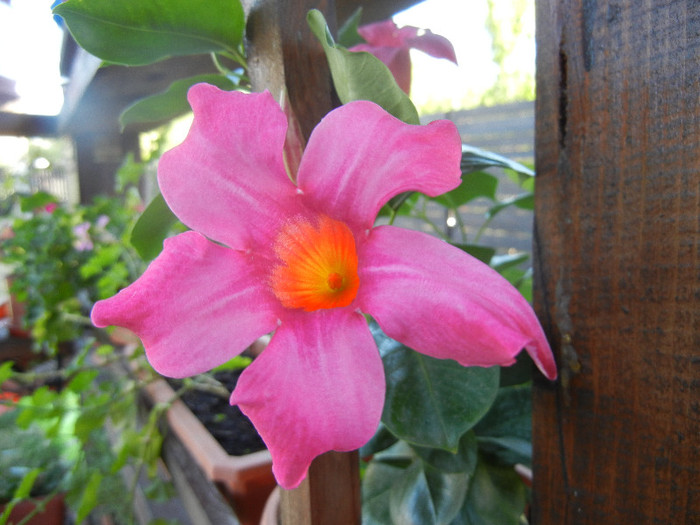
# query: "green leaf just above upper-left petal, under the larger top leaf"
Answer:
x=170 y=103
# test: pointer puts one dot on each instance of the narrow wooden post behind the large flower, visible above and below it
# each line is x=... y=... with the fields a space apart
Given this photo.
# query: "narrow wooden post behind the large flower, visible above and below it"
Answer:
x=284 y=54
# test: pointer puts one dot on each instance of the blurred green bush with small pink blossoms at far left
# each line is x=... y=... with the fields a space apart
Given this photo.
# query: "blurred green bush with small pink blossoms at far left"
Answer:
x=65 y=258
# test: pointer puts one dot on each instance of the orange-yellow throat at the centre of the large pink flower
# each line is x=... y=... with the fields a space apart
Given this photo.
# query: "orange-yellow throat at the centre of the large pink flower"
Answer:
x=317 y=265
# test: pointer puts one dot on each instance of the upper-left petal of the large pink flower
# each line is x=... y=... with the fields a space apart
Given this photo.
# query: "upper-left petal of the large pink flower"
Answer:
x=227 y=179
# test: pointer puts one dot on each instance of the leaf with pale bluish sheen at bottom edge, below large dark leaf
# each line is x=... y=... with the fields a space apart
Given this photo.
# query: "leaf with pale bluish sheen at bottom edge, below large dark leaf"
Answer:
x=426 y=496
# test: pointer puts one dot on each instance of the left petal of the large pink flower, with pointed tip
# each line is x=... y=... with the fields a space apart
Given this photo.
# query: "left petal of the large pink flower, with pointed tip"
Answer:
x=197 y=305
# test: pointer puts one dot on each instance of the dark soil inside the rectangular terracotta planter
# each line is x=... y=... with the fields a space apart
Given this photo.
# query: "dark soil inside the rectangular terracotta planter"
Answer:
x=231 y=428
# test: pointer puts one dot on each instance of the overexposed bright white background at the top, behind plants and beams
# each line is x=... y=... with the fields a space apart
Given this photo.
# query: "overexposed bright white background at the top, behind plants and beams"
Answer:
x=493 y=41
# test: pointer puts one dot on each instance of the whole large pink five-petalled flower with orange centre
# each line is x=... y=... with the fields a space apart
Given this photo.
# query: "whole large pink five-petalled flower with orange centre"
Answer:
x=303 y=260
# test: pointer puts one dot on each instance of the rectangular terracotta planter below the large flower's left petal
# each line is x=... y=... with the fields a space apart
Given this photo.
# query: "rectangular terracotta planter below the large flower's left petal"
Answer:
x=245 y=480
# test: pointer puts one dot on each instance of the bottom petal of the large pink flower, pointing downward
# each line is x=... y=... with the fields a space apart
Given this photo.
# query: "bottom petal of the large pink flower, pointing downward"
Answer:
x=318 y=386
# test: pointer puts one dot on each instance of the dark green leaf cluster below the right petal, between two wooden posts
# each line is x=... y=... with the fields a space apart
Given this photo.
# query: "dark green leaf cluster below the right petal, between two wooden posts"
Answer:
x=447 y=444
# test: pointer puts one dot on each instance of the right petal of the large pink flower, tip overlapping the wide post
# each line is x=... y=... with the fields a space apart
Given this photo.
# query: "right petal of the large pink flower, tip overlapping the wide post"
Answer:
x=444 y=303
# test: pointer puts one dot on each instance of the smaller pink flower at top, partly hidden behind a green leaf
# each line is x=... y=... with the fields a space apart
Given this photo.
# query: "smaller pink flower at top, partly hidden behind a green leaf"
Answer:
x=391 y=45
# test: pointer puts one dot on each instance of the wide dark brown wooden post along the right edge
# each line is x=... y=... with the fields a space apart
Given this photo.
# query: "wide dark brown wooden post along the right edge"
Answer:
x=617 y=438
